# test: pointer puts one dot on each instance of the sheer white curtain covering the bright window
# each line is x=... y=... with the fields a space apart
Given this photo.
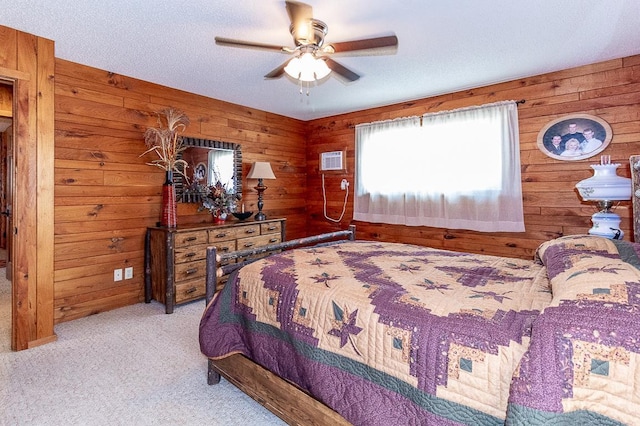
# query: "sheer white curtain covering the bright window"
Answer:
x=460 y=169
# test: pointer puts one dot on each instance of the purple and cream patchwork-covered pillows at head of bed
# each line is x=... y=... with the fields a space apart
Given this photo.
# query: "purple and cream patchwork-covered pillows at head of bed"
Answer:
x=583 y=363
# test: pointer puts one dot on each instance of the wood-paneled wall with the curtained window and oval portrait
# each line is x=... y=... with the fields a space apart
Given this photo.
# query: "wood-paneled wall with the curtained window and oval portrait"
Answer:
x=552 y=207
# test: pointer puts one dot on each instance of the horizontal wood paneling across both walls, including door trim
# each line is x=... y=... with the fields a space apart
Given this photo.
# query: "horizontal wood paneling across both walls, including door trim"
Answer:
x=89 y=196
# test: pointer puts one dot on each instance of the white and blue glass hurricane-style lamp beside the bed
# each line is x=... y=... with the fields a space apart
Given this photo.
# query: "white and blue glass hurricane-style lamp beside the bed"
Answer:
x=605 y=187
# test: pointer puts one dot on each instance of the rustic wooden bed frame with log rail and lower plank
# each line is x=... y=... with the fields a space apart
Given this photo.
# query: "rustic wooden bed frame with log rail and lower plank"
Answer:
x=281 y=397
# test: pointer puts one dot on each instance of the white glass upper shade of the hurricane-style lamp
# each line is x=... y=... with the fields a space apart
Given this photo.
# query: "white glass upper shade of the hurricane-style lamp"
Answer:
x=605 y=185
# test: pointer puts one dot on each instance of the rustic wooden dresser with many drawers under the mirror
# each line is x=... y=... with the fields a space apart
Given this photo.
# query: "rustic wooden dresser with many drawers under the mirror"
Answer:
x=175 y=259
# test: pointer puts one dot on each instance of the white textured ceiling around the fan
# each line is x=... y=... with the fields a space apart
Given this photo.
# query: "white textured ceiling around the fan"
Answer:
x=444 y=45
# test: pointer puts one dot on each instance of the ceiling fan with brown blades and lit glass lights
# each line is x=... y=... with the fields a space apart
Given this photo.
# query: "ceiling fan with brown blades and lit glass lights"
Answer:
x=311 y=59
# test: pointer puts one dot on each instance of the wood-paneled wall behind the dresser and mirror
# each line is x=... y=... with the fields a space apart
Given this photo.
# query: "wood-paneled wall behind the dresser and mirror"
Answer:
x=106 y=196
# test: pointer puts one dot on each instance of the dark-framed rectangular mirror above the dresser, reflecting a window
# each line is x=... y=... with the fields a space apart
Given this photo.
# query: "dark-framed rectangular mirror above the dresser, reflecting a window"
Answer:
x=208 y=161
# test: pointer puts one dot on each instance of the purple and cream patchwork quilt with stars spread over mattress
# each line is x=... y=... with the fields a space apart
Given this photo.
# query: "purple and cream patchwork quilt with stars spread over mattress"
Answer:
x=390 y=334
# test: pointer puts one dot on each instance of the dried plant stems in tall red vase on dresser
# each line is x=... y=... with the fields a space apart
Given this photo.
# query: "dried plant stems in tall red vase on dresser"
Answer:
x=166 y=141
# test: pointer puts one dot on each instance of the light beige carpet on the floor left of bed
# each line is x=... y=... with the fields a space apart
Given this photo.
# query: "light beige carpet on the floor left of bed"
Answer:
x=130 y=366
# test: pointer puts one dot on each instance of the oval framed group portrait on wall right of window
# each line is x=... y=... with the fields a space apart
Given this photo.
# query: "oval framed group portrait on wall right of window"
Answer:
x=574 y=137
